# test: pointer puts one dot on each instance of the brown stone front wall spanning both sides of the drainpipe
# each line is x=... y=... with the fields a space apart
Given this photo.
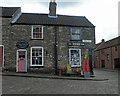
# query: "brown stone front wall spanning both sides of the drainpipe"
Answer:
x=16 y=33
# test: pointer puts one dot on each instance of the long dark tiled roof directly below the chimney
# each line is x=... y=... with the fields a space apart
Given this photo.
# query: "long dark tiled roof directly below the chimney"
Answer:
x=61 y=20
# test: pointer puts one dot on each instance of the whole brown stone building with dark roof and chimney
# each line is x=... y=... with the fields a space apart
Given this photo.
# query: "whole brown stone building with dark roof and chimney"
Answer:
x=45 y=43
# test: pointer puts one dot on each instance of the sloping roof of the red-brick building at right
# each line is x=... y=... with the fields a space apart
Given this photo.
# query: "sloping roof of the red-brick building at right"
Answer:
x=110 y=43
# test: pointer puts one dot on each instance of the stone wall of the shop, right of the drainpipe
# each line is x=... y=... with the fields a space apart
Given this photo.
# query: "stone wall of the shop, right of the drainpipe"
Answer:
x=63 y=37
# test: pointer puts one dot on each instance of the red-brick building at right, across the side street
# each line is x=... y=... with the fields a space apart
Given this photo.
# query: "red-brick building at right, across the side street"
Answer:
x=107 y=54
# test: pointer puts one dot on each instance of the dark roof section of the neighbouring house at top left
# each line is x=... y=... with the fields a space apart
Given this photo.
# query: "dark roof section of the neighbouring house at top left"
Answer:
x=8 y=11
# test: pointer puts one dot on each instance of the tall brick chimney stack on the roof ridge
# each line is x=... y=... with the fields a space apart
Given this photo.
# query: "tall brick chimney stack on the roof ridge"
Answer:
x=52 y=8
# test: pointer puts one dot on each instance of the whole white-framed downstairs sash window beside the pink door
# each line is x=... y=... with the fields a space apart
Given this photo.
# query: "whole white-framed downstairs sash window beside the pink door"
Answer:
x=36 y=56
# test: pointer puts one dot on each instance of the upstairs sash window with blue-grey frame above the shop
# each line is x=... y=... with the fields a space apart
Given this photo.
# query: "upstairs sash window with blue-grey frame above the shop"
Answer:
x=75 y=33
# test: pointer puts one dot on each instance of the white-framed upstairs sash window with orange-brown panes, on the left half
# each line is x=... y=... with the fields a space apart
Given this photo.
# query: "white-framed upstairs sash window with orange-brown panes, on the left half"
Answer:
x=37 y=32
